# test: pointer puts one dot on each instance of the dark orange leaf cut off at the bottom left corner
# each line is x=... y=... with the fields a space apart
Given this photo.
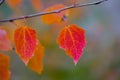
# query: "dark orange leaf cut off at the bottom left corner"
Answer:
x=4 y=67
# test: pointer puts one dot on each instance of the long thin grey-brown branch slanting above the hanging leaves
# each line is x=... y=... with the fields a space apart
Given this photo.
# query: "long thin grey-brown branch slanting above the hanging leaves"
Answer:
x=55 y=11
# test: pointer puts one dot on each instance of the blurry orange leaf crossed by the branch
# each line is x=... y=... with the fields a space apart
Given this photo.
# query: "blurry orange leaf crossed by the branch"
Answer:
x=55 y=17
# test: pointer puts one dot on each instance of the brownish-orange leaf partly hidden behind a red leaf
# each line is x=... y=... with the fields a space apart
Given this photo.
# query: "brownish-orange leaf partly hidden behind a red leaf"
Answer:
x=36 y=62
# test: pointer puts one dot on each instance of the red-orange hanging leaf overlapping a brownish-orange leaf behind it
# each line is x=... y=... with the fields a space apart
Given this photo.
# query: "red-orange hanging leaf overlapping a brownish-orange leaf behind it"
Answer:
x=25 y=41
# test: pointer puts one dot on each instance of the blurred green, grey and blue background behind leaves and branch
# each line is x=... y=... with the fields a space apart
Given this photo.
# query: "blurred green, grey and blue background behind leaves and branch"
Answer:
x=101 y=57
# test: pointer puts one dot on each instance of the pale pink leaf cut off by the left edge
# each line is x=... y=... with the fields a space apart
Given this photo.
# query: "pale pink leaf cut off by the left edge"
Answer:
x=5 y=43
